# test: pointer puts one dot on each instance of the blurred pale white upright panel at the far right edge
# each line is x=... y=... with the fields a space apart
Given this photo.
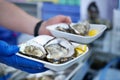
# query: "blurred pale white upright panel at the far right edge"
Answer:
x=115 y=44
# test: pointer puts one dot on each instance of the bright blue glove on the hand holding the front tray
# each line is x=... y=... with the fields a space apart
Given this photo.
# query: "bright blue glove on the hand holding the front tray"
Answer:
x=8 y=57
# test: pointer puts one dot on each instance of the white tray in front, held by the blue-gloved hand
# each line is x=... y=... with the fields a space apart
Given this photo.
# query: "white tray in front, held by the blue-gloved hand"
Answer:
x=56 y=67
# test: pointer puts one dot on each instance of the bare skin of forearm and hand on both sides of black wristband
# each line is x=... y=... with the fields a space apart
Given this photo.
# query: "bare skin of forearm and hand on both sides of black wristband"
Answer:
x=16 y=19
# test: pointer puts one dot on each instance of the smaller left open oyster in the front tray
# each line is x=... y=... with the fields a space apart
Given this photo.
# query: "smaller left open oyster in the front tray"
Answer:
x=34 y=50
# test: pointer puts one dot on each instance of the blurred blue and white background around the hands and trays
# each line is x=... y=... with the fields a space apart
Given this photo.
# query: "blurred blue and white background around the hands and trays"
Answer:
x=103 y=63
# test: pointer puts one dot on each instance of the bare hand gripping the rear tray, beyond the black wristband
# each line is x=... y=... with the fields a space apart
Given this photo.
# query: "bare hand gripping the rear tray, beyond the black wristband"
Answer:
x=51 y=21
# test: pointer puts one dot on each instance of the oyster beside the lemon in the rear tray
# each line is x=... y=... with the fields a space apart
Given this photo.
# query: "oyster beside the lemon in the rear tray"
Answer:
x=81 y=28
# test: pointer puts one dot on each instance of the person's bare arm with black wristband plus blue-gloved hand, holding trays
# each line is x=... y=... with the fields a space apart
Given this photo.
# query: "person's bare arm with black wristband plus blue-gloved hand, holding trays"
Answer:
x=16 y=19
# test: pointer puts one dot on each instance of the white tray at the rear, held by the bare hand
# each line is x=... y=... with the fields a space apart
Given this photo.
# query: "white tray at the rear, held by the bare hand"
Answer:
x=77 y=38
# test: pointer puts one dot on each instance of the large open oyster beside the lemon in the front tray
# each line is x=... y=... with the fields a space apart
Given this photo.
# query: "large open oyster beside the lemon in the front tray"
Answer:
x=59 y=48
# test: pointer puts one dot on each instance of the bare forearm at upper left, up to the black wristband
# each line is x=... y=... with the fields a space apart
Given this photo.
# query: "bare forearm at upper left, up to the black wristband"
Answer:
x=16 y=19
